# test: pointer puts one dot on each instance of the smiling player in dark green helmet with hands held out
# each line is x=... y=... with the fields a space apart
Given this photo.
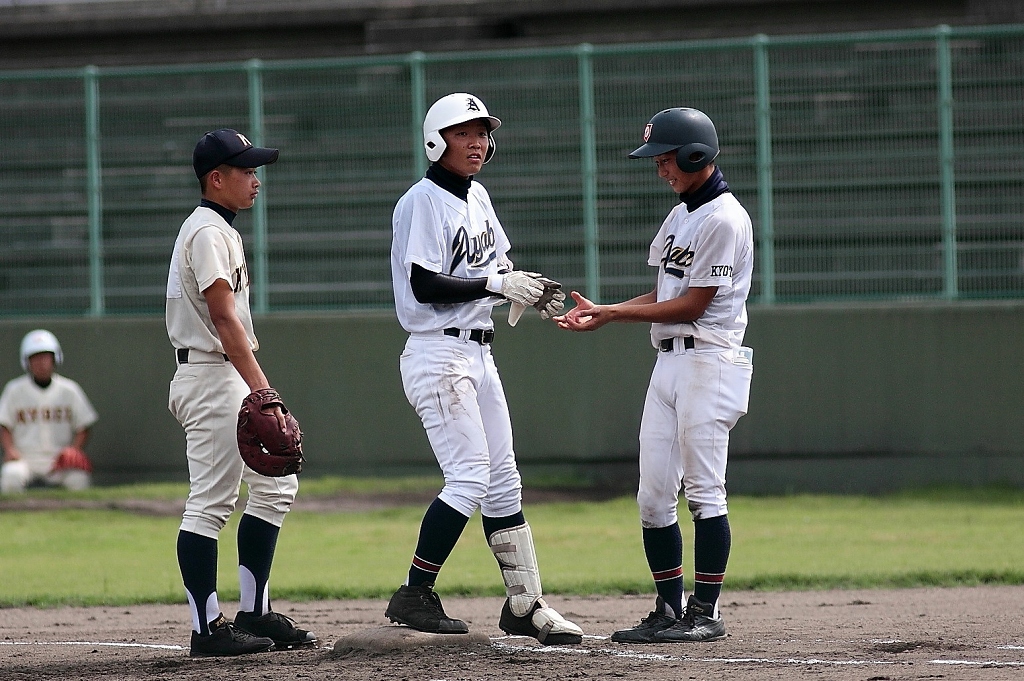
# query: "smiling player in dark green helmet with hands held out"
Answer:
x=701 y=382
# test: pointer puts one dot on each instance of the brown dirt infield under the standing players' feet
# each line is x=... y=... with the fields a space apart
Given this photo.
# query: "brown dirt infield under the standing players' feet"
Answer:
x=967 y=633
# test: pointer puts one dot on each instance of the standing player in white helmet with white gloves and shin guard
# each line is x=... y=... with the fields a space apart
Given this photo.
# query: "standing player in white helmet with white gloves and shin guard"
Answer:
x=450 y=268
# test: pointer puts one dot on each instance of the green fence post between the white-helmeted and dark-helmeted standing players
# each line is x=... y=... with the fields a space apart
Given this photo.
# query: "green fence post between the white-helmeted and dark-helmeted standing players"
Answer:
x=588 y=154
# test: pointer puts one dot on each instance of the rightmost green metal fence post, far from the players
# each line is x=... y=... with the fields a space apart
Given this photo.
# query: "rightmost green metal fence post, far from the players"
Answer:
x=947 y=160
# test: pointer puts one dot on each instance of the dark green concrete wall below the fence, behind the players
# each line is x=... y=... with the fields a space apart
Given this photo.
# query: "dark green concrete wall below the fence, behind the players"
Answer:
x=845 y=398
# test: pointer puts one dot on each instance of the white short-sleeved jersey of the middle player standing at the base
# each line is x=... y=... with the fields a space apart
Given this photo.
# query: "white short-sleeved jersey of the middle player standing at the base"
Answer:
x=439 y=232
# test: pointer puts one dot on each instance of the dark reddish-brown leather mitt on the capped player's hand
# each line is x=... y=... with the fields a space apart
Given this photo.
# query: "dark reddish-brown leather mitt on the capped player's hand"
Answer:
x=264 y=446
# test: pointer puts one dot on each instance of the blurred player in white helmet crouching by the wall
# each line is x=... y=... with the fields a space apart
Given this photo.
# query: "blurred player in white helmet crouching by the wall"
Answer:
x=45 y=422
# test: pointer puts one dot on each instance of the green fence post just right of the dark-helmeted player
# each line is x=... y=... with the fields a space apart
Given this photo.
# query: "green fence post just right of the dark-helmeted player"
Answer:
x=765 y=189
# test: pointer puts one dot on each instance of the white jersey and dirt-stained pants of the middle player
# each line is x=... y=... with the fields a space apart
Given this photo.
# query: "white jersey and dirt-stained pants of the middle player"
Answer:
x=467 y=423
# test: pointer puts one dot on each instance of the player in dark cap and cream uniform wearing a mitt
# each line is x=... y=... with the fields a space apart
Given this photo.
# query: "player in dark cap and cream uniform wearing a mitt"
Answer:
x=210 y=326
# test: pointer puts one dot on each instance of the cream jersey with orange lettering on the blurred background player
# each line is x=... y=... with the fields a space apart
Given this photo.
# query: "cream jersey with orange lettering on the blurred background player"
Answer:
x=44 y=421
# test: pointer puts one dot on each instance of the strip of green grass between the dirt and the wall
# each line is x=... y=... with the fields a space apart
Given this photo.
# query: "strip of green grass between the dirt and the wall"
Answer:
x=940 y=537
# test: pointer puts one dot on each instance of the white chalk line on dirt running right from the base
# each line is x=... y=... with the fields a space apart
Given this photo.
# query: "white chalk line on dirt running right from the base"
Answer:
x=499 y=643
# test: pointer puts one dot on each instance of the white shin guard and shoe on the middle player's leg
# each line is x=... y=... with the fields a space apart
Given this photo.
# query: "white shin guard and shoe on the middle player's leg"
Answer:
x=529 y=615
